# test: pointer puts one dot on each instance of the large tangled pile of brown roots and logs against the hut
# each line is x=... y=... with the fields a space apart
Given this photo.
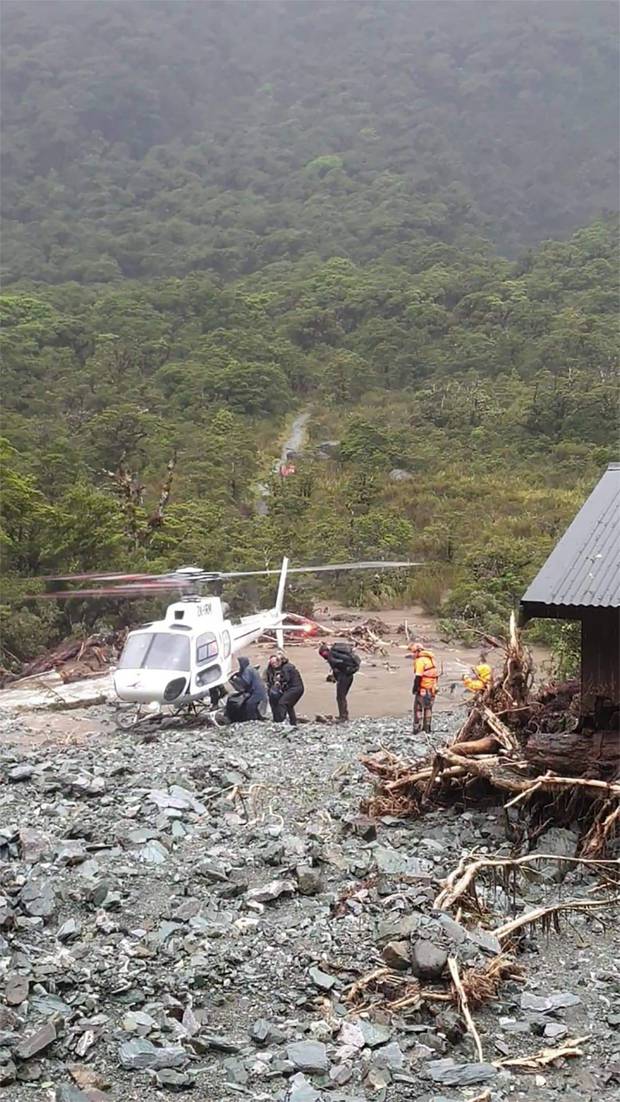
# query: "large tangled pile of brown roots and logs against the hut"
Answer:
x=519 y=744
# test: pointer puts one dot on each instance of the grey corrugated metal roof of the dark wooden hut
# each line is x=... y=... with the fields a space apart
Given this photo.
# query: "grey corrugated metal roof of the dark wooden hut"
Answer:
x=584 y=569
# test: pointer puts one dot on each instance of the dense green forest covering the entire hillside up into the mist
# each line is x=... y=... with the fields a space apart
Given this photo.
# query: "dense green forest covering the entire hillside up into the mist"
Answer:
x=216 y=215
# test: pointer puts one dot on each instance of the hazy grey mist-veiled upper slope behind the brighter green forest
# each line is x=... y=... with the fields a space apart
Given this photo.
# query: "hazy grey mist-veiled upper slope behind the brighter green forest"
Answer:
x=153 y=139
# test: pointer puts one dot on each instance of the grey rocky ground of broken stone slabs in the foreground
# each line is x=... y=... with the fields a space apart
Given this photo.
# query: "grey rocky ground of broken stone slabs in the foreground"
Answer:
x=188 y=910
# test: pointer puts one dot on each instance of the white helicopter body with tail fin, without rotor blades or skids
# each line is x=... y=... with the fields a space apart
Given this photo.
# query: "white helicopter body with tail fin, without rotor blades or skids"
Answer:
x=191 y=652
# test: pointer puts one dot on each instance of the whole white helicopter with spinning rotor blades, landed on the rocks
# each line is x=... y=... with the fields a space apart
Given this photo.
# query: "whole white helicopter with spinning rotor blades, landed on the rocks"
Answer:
x=179 y=664
